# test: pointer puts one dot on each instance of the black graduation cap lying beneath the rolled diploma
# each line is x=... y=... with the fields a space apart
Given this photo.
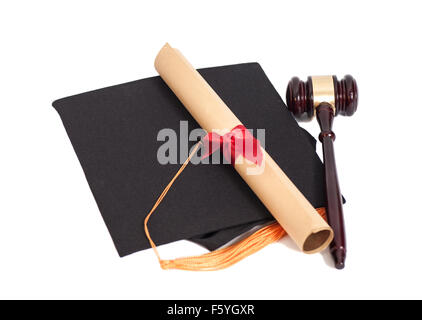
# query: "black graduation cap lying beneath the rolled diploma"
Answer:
x=114 y=134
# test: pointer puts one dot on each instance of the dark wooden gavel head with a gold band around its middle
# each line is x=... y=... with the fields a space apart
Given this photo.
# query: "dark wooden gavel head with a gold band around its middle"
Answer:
x=304 y=97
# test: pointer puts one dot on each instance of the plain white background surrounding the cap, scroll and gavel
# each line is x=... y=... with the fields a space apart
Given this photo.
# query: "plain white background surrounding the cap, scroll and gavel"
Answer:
x=53 y=242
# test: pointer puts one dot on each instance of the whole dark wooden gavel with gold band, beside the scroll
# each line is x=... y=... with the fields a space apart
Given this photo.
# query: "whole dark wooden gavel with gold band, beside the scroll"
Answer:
x=325 y=97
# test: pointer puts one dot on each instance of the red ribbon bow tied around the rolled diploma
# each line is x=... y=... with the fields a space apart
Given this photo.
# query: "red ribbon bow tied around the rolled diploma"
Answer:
x=239 y=141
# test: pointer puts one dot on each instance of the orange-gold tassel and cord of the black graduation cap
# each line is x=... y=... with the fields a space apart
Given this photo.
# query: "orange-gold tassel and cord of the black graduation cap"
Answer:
x=224 y=257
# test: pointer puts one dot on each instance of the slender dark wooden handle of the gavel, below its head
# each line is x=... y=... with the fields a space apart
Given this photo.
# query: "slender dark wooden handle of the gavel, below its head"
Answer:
x=325 y=116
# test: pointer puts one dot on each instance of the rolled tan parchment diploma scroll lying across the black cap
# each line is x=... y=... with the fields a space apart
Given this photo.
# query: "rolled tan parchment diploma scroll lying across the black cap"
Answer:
x=280 y=196
